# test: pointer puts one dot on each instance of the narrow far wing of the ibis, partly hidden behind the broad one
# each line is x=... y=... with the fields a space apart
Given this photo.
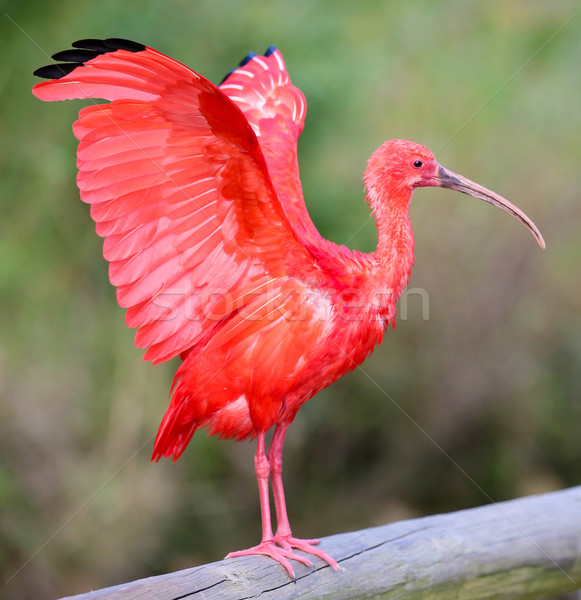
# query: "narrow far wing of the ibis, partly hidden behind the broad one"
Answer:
x=276 y=111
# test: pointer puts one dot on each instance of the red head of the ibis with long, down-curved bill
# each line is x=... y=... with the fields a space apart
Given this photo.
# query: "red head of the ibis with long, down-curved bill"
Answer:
x=397 y=167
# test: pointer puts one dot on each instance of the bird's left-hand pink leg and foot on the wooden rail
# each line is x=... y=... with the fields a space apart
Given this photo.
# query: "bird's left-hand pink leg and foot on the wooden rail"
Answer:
x=268 y=546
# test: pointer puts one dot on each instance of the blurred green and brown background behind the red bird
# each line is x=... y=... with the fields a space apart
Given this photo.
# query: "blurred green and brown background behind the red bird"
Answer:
x=478 y=402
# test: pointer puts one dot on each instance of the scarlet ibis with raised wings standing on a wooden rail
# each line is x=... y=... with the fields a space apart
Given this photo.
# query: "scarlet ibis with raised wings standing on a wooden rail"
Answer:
x=196 y=190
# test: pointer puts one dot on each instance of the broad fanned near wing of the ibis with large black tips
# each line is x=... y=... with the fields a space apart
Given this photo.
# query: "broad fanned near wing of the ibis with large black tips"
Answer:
x=180 y=190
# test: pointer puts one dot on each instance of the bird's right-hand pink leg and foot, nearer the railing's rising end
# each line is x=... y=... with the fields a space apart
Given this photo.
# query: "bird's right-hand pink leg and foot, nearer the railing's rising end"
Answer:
x=283 y=535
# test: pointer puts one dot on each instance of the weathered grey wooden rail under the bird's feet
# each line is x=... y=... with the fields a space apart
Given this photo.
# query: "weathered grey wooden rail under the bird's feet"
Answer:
x=525 y=548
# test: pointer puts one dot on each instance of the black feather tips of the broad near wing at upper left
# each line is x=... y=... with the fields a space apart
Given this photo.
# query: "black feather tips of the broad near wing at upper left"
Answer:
x=83 y=51
